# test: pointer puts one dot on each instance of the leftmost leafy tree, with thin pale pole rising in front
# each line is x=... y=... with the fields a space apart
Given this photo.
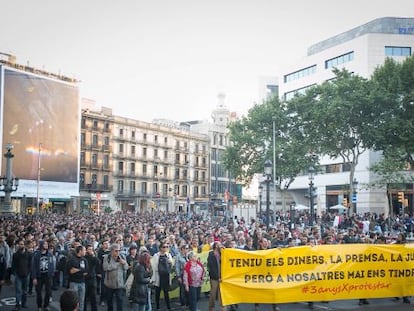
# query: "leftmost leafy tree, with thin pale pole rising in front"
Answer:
x=252 y=143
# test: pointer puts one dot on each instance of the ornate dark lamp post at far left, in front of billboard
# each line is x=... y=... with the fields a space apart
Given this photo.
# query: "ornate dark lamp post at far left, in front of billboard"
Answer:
x=8 y=184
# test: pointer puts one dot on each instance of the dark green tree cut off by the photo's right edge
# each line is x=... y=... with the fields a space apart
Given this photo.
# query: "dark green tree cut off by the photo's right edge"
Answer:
x=393 y=95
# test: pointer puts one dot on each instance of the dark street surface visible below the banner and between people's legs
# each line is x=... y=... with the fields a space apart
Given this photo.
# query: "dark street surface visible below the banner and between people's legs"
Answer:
x=7 y=303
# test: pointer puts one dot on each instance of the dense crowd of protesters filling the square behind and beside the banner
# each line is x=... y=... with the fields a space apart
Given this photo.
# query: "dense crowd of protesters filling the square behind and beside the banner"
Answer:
x=95 y=255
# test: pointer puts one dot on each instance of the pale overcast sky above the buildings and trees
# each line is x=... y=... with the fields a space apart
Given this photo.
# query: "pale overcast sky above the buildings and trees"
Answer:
x=171 y=58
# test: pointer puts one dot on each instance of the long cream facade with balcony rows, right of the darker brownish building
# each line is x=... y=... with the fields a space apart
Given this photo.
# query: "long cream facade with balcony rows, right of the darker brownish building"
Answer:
x=159 y=166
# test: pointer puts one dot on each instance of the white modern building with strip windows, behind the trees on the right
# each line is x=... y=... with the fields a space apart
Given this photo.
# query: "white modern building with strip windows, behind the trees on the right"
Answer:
x=359 y=50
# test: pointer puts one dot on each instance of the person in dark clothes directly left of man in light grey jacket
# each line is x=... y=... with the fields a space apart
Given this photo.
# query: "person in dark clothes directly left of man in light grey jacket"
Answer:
x=94 y=271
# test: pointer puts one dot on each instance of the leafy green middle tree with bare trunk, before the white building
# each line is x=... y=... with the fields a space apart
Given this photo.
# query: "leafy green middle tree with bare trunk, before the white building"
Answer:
x=332 y=117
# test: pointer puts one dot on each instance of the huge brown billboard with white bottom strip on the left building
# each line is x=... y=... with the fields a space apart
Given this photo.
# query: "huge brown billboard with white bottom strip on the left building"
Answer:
x=40 y=118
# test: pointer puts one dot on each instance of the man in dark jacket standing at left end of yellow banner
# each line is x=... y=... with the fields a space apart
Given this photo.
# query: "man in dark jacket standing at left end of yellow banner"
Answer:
x=213 y=267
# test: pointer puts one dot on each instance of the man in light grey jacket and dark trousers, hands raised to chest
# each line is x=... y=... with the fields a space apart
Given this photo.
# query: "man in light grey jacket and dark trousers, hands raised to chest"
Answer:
x=115 y=266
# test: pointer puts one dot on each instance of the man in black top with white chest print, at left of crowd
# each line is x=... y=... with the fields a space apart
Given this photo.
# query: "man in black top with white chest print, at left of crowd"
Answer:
x=43 y=271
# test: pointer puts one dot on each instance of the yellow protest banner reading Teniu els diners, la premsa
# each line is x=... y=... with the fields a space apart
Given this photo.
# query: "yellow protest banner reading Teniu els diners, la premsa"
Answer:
x=319 y=273
